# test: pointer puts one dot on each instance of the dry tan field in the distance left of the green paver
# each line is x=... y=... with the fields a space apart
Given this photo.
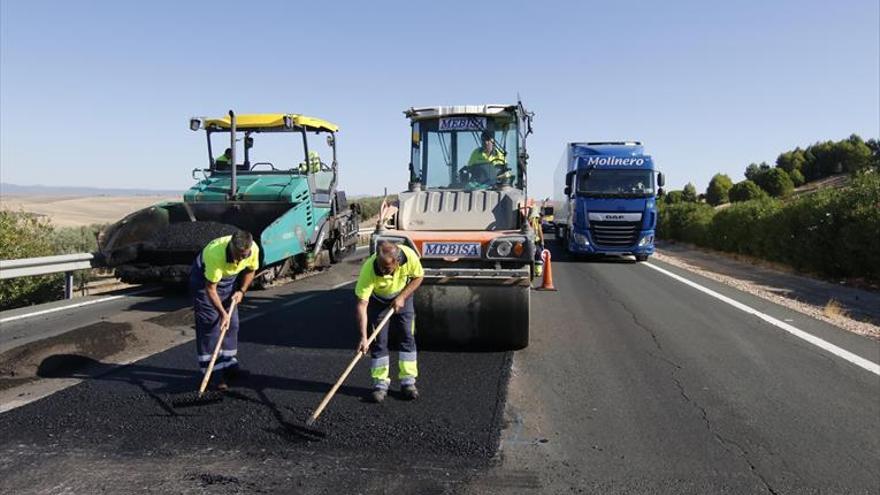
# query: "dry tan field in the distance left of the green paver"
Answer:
x=74 y=211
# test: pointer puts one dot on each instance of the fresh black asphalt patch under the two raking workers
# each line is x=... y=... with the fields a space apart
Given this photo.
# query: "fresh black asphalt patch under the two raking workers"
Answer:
x=294 y=355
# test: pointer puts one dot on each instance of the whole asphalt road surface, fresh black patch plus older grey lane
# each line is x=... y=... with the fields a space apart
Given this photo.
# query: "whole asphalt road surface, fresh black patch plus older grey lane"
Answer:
x=632 y=383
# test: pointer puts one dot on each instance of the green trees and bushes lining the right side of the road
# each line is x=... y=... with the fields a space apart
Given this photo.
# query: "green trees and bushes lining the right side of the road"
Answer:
x=833 y=231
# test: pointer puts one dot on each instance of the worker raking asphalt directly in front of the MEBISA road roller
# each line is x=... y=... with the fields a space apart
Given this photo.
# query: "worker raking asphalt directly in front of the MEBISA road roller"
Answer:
x=387 y=281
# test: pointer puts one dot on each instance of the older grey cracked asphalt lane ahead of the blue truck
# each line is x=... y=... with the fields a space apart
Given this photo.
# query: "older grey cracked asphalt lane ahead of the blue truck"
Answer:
x=636 y=383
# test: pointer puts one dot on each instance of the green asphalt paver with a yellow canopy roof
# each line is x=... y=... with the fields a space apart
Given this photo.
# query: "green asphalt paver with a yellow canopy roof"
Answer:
x=289 y=203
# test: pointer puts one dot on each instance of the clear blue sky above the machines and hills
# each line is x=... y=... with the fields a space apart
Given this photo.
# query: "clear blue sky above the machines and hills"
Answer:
x=99 y=93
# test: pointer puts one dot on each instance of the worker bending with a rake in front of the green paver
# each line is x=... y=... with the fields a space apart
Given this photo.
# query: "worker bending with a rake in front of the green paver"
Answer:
x=214 y=283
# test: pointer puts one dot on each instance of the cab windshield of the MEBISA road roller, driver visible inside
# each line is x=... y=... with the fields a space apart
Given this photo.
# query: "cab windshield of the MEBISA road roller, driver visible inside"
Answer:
x=482 y=155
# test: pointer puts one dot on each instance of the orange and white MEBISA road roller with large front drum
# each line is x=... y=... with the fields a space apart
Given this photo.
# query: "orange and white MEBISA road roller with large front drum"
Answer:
x=465 y=212
